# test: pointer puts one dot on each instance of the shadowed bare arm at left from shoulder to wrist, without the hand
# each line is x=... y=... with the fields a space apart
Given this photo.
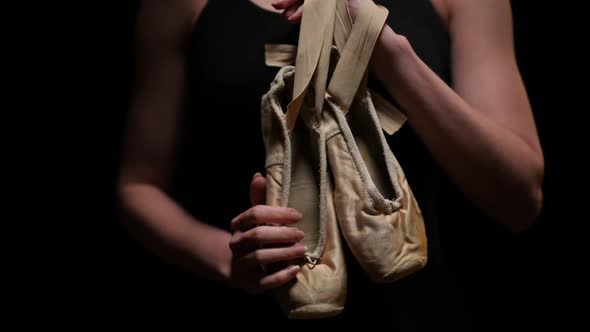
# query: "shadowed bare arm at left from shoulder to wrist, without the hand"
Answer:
x=162 y=34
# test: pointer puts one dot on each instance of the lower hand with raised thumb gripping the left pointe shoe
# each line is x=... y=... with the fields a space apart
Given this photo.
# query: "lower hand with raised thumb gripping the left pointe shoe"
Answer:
x=255 y=244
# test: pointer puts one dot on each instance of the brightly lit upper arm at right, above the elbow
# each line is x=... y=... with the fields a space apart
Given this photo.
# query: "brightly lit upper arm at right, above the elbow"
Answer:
x=484 y=66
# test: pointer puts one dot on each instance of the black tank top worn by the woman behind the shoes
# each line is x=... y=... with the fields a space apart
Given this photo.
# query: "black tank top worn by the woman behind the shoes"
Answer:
x=221 y=148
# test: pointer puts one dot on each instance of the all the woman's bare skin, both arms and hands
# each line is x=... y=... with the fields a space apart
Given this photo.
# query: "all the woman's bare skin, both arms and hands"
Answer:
x=480 y=129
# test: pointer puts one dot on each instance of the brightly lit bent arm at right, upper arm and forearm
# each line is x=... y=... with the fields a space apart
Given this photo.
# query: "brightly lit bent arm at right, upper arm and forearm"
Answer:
x=482 y=131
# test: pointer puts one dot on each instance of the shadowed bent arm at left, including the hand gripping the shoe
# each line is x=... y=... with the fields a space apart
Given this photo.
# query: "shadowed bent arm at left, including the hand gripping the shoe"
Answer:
x=158 y=221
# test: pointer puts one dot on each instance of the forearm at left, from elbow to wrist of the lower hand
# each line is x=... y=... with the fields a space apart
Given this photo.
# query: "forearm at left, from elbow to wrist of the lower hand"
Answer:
x=165 y=228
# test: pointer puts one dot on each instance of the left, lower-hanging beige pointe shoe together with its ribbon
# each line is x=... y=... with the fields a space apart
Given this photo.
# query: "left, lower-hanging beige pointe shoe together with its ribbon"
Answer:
x=297 y=171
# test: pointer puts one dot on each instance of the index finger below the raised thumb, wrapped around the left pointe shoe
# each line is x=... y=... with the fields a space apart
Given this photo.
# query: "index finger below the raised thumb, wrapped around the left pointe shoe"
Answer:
x=264 y=214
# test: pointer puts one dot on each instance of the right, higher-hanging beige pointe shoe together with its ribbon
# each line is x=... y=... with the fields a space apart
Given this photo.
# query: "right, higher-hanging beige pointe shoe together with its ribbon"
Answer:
x=377 y=212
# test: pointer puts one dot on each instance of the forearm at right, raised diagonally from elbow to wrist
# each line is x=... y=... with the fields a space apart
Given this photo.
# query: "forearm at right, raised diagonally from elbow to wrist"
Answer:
x=489 y=162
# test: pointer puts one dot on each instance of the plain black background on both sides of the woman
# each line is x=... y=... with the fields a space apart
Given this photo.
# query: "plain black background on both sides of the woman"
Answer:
x=98 y=275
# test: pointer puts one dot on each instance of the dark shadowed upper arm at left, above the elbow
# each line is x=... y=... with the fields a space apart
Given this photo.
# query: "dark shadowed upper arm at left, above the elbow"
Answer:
x=162 y=34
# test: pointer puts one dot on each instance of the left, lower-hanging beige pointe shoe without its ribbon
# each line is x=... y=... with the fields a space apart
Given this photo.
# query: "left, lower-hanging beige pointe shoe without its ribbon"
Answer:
x=293 y=162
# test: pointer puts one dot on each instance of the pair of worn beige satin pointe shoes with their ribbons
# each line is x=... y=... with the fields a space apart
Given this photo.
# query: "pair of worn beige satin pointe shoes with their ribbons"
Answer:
x=370 y=202
